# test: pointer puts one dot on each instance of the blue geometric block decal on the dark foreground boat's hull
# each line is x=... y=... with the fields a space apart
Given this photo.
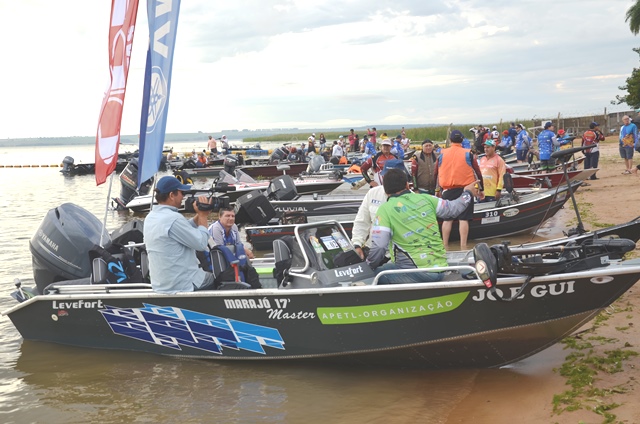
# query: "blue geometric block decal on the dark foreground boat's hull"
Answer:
x=174 y=327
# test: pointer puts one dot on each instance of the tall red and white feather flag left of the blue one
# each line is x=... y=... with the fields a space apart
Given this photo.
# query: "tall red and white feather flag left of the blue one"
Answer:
x=123 y=21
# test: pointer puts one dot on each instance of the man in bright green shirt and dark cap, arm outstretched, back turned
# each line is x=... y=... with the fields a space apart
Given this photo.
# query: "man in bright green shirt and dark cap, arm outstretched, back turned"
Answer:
x=412 y=243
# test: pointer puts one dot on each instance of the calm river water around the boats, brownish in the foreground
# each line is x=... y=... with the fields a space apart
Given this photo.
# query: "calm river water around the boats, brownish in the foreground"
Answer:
x=42 y=382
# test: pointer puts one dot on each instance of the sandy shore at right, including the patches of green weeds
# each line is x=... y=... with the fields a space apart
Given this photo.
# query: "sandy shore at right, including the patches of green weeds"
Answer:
x=606 y=351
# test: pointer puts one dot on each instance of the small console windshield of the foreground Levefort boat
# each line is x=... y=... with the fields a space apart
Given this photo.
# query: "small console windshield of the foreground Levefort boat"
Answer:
x=327 y=246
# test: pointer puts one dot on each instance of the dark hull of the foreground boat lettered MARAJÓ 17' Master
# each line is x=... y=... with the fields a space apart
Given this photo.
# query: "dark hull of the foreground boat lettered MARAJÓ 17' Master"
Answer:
x=432 y=325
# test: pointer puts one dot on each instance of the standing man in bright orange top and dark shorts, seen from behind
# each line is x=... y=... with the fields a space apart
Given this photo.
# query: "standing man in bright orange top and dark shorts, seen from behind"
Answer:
x=457 y=168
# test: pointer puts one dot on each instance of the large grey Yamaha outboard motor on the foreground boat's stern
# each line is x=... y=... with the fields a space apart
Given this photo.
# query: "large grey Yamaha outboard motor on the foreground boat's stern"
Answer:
x=60 y=247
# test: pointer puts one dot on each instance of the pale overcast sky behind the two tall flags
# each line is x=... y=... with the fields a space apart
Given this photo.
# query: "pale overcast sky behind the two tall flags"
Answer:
x=317 y=64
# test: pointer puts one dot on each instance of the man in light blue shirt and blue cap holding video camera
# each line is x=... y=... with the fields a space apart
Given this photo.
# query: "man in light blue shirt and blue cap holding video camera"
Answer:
x=172 y=241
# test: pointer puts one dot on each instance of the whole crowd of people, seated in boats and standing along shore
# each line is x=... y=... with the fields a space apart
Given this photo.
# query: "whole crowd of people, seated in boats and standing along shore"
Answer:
x=439 y=184
